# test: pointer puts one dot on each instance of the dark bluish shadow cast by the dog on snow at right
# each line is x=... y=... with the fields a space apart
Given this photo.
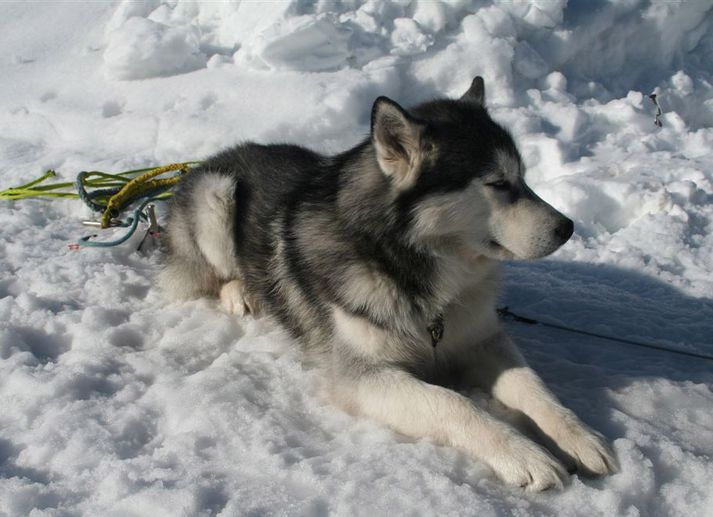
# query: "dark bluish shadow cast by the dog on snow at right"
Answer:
x=588 y=373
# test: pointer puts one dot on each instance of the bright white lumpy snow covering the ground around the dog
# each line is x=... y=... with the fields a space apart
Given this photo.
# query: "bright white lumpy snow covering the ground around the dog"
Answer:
x=115 y=402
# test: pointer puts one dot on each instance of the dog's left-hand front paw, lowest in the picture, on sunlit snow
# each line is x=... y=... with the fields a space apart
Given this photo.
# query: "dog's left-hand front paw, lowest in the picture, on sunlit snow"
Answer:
x=520 y=462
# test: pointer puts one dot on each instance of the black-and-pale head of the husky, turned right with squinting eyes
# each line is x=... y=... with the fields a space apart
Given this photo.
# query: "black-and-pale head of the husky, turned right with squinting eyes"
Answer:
x=457 y=175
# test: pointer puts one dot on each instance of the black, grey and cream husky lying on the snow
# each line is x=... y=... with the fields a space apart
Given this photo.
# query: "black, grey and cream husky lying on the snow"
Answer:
x=383 y=263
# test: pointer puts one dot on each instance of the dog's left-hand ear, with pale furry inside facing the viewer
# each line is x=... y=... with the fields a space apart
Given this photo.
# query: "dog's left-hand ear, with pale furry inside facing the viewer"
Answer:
x=396 y=136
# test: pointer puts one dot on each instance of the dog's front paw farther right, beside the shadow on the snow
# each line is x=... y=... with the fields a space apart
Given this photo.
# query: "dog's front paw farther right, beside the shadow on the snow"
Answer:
x=587 y=449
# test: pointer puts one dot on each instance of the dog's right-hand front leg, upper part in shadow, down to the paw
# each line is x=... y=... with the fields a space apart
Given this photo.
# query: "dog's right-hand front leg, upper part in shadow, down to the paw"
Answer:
x=500 y=368
